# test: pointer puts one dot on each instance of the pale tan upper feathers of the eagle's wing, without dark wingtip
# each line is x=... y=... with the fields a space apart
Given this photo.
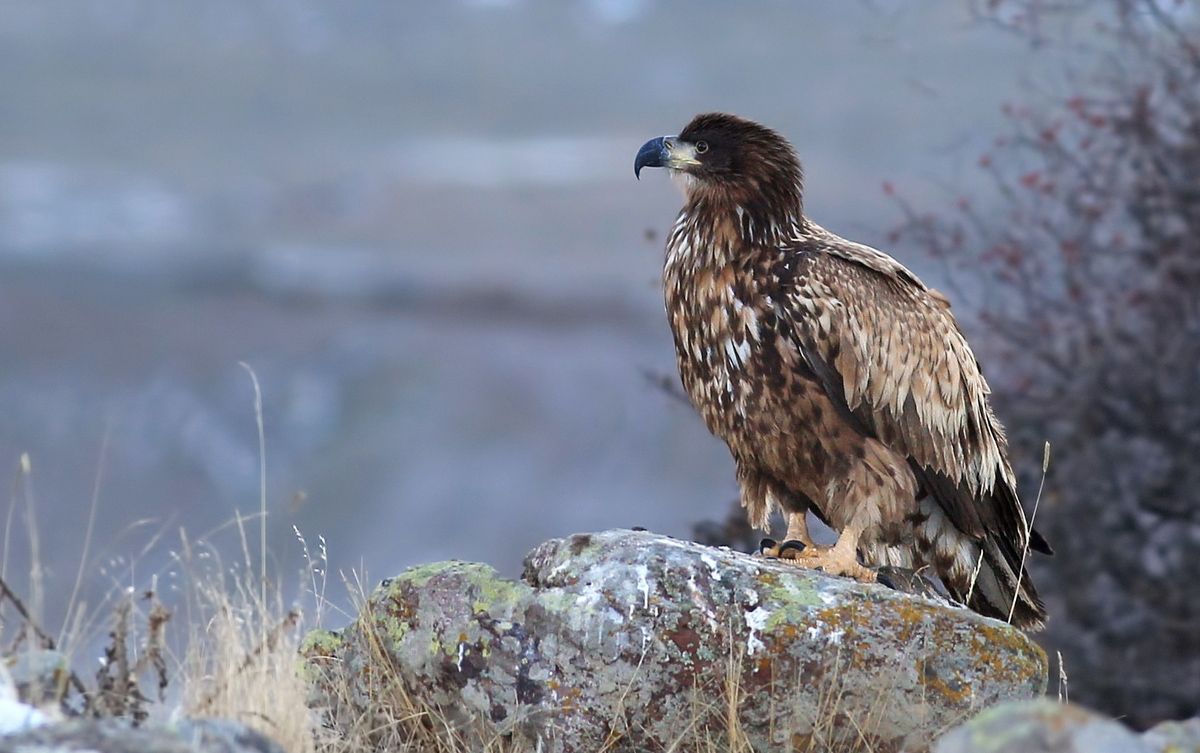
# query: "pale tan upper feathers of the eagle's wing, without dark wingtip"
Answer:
x=904 y=368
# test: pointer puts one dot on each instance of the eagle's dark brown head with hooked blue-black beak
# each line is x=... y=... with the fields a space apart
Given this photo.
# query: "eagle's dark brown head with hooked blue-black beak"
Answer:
x=724 y=159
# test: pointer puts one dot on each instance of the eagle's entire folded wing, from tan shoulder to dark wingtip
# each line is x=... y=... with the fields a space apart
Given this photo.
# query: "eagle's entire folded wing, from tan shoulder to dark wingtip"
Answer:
x=889 y=352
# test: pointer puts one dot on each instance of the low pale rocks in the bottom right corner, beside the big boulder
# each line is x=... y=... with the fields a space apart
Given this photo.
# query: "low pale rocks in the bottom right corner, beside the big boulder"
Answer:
x=1047 y=727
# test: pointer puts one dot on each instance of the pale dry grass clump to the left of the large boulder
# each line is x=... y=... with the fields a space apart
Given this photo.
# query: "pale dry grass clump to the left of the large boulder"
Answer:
x=235 y=656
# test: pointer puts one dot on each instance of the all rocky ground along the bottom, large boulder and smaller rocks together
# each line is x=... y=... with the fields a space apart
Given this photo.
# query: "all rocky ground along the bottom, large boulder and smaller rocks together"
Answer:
x=628 y=641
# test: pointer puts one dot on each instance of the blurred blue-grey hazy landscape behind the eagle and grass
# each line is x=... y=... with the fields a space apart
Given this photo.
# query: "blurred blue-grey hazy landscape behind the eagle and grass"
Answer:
x=417 y=222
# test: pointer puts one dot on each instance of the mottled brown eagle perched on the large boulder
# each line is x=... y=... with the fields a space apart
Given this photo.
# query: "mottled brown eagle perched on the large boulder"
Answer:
x=841 y=383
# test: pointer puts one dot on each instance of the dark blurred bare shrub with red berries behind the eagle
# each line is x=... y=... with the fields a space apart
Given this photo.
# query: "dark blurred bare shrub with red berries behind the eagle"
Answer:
x=1084 y=268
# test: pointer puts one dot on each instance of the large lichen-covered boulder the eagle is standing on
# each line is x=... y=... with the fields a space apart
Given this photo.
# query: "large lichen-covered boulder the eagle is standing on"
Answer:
x=634 y=642
